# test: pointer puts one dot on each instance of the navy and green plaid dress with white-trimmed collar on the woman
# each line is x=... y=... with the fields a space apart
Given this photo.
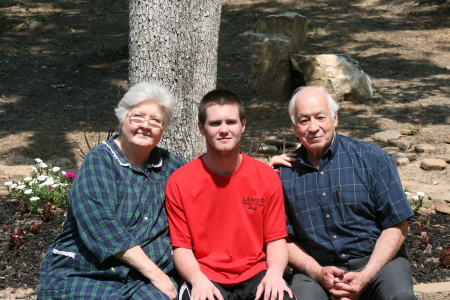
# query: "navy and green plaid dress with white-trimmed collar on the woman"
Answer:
x=113 y=206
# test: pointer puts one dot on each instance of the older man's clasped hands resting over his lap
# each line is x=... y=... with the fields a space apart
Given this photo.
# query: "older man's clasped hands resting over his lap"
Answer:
x=351 y=286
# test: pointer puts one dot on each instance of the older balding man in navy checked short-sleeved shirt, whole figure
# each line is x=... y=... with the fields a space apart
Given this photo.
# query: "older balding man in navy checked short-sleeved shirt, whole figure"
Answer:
x=346 y=209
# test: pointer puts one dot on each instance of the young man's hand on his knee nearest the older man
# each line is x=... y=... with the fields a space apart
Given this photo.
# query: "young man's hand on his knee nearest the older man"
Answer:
x=273 y=286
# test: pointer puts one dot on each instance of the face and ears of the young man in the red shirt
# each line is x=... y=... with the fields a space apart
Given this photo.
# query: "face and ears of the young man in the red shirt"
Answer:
x=223 y=129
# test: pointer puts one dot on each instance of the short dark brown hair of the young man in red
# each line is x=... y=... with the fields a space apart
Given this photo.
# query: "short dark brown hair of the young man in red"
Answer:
x=220 y=97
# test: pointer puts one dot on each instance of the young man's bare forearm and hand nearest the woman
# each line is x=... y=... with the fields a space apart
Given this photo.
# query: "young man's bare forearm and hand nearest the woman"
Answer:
x=189 y=269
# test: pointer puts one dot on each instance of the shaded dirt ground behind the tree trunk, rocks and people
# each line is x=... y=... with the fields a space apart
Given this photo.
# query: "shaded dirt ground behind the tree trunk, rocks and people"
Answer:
x=63 y=67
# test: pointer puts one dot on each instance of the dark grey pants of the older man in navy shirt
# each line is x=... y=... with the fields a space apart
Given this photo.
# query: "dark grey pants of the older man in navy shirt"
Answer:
x=394 y=281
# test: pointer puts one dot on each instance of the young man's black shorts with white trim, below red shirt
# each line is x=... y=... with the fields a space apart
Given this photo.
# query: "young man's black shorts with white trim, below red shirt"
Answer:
x=243 y=291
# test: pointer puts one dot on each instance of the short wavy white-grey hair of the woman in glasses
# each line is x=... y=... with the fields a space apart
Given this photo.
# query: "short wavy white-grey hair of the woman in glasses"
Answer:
x=144 y=91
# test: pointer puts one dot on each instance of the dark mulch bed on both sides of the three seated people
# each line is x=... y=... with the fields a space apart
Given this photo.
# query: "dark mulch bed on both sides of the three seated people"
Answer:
x=20 y=268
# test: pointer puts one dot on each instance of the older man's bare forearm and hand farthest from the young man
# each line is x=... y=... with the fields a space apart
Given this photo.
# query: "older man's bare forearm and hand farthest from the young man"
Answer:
x=385 y=249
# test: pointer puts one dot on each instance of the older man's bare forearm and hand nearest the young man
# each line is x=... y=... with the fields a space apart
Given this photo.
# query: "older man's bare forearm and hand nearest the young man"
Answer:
x=306 y=264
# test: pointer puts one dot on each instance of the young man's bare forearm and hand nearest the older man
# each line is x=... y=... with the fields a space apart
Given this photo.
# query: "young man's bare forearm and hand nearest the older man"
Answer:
x=273 y=285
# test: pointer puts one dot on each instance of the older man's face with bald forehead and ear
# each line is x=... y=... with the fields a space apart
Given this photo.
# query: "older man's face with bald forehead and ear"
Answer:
x=313 y=121
